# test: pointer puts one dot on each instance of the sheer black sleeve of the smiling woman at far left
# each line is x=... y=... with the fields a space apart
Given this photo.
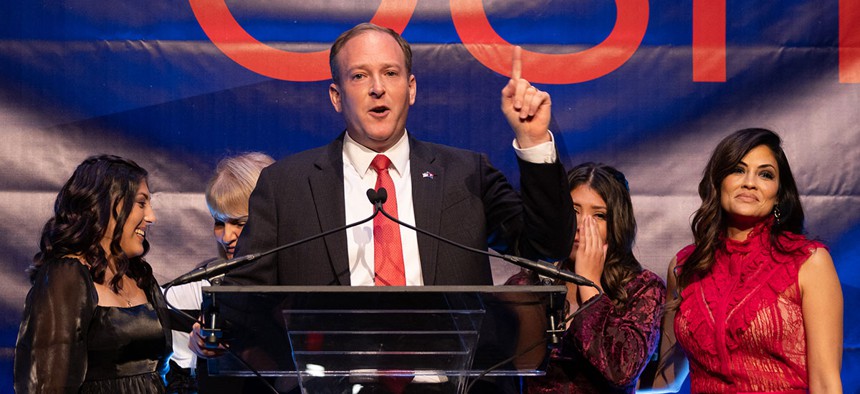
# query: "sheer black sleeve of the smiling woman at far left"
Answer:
x=51 y=352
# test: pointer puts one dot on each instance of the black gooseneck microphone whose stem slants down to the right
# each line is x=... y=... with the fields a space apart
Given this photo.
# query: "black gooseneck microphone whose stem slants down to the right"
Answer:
x=541 y=267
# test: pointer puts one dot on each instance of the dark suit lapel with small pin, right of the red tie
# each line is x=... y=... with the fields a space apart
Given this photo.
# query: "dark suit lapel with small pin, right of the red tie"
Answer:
x=427 y=186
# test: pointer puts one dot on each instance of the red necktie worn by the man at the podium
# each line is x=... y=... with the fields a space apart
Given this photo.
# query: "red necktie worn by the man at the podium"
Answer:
x=387 y=249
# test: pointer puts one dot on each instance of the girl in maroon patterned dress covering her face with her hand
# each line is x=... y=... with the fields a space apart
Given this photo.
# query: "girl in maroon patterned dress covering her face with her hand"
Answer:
x=607 y=344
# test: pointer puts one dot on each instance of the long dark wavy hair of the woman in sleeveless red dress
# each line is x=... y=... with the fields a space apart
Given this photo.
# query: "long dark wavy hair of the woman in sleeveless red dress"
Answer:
x=710 y=221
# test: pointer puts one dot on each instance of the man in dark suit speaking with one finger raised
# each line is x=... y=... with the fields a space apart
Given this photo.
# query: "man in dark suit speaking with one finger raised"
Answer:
x=454 y=193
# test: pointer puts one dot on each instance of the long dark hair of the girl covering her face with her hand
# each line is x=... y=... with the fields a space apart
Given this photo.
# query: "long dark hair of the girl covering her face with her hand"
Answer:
x=621 y=266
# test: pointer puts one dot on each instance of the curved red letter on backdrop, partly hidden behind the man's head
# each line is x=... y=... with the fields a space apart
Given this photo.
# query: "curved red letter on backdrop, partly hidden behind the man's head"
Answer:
x=229 y=37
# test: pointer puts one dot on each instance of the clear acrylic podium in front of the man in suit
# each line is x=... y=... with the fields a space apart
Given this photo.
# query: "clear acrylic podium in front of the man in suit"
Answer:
x=325 y=337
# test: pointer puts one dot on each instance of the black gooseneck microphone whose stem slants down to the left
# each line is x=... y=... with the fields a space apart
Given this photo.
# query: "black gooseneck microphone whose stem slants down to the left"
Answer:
x=223 y=266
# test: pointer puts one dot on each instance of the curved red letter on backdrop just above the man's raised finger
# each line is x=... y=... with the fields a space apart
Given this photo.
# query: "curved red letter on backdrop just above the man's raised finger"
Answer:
x=494 y=52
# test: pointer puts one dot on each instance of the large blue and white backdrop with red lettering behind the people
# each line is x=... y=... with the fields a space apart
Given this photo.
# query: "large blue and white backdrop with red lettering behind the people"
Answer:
x=144 y=80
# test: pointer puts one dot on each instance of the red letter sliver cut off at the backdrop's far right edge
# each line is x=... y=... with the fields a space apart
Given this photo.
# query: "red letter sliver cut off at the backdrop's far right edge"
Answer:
x=849 y=41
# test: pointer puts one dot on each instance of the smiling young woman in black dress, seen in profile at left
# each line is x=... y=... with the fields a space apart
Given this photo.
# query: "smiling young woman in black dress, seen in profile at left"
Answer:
x=95 y=320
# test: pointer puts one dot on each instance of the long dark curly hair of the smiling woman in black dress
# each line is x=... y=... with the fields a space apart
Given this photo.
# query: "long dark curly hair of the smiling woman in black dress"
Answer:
x=101 y=187
